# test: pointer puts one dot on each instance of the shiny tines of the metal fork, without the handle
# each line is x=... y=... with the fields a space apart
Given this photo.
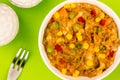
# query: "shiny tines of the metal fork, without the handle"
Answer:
x=20 y=58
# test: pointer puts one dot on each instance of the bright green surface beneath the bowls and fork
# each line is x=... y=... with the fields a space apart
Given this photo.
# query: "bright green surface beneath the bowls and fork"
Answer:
x=27 y=38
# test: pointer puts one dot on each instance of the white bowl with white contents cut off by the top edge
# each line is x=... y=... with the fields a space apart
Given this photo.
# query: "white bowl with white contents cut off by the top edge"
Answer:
x=25 y=3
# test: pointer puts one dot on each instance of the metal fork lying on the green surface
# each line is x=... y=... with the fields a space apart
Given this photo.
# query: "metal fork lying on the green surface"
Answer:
x=17 y=64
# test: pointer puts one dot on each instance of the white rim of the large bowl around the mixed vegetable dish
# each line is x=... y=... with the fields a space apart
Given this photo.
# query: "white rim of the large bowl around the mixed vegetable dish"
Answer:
x=107 y=10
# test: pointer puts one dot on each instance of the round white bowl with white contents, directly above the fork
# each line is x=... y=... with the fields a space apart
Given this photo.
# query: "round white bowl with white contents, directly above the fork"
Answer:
x=9 y=24
